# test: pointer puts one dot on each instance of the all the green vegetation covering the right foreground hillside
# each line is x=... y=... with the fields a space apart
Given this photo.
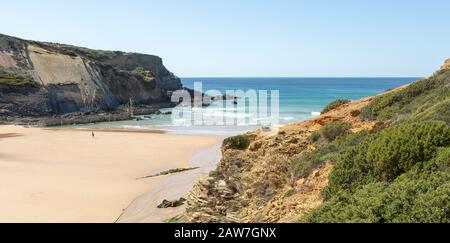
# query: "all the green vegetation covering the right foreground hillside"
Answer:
x=400 y=173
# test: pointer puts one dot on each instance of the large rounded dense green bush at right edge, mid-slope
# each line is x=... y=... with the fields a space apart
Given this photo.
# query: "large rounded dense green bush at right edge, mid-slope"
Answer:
x=399 y=148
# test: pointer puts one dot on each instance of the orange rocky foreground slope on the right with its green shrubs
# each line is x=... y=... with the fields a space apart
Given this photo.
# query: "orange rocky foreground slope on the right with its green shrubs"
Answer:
x=380 y=159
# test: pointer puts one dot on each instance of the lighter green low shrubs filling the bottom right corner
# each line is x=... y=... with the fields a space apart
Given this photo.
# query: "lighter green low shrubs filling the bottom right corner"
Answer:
x=413 y=198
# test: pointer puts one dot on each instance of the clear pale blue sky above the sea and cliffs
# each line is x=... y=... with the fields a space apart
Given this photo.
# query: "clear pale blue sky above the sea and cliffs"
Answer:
x=208 y=38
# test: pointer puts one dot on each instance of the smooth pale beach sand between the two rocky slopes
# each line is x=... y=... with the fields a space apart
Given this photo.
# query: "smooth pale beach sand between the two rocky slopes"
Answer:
x=68 y=176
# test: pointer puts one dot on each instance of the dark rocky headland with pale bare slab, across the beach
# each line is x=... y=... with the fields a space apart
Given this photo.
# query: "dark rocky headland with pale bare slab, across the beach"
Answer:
x=55 y=83
